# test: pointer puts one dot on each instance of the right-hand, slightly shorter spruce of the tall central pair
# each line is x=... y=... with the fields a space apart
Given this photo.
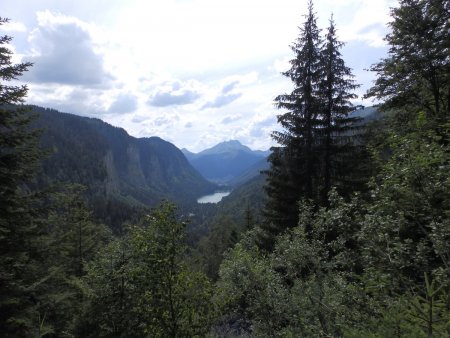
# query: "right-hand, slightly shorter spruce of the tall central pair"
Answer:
x=338 y=148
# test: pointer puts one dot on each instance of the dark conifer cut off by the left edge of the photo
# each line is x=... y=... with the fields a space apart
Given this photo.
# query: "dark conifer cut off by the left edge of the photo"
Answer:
x=19 y=221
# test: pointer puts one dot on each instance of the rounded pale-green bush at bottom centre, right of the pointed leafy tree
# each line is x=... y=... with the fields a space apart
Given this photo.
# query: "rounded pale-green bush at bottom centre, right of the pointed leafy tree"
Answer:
x=249 y=294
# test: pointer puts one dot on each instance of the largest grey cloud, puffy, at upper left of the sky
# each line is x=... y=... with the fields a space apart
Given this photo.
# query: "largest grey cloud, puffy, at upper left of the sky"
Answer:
x=63 y=53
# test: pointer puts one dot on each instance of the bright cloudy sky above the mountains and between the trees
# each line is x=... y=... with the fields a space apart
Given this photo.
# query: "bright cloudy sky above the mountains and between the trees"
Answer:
x=193 y=72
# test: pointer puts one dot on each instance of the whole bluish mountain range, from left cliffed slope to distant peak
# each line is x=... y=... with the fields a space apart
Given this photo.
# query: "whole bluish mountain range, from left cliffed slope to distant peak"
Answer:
x=123 y=172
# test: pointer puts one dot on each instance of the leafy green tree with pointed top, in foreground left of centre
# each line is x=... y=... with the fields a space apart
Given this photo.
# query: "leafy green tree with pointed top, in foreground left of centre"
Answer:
x=140 y=286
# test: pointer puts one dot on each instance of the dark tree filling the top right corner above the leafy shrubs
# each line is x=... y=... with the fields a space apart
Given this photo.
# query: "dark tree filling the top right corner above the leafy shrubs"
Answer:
x=415 y=76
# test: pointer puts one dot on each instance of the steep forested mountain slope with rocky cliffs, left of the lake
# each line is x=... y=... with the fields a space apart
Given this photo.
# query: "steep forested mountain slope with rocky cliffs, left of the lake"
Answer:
x=113 y=164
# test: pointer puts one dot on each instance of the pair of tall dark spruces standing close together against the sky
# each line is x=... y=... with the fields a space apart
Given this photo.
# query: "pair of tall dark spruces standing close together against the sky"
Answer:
x=317 y=141
